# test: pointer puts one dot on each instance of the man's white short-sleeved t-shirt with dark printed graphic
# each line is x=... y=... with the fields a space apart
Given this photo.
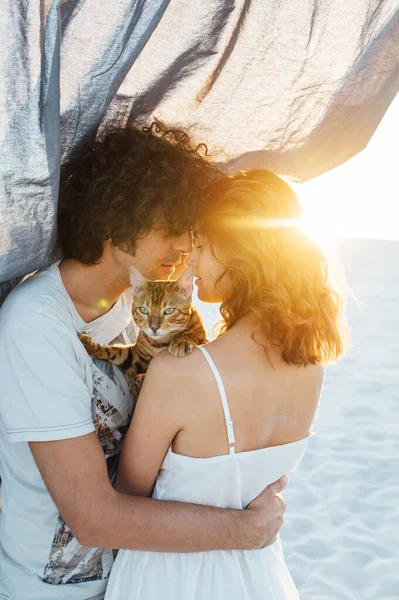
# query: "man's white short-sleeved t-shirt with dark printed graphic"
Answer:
x=50 y=389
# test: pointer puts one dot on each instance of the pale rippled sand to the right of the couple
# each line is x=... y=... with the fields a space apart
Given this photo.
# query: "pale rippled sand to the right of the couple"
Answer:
x=341 y=531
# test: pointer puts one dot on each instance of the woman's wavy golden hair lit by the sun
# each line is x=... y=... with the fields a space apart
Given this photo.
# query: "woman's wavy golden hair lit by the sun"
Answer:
x=275 y=270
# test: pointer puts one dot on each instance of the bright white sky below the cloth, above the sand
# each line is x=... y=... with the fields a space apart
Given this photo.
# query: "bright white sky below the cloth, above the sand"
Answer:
x=361 y=197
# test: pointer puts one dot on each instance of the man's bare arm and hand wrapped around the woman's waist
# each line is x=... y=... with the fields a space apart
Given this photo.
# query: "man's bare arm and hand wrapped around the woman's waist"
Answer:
x=75 y=473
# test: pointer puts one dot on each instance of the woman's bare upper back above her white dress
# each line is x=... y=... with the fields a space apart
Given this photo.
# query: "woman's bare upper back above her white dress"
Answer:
x=271 y=403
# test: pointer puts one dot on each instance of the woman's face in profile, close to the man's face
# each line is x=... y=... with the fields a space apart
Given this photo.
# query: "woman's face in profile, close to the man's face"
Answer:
x=207 y=271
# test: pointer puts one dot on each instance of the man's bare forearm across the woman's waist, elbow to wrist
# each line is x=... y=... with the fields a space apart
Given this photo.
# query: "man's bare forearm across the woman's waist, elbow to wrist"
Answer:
x=145 y=524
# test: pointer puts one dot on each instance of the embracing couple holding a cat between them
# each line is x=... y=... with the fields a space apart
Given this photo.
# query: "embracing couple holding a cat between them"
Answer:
x=188 y=491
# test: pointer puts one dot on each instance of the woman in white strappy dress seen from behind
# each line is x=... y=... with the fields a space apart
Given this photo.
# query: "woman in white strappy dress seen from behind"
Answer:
x=219 y=425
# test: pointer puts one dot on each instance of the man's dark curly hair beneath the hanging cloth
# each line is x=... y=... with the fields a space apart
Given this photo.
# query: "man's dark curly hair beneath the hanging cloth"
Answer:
x=121 y=185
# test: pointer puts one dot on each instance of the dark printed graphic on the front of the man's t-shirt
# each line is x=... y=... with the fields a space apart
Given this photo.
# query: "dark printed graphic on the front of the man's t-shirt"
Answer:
x=70 y=562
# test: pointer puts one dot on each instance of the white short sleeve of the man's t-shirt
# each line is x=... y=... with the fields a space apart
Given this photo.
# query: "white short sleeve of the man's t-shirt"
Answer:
x=44 y=394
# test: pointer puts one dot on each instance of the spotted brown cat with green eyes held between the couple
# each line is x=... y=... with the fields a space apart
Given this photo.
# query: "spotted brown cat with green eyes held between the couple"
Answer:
x=167 y=320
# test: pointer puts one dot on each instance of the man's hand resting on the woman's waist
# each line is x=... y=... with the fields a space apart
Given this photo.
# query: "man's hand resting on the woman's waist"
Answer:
x=266 y=512
